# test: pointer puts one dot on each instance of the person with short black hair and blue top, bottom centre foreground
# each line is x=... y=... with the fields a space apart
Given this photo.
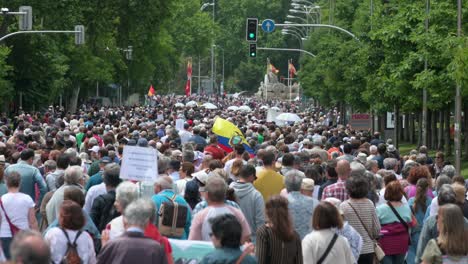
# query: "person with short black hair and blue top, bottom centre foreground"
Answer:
x=226 y=237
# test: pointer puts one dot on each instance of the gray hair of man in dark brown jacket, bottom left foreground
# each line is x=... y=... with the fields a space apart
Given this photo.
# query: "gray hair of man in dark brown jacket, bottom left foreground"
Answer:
x=139 y=213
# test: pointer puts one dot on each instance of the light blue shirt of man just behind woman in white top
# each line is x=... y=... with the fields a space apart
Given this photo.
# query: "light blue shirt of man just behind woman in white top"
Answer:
x=302 y=209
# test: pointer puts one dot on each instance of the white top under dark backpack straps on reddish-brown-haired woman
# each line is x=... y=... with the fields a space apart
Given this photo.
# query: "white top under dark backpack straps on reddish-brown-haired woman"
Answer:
x=58 y=245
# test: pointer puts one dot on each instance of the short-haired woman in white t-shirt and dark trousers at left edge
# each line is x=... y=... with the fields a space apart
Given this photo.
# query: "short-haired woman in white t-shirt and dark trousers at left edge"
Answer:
x=16 y=212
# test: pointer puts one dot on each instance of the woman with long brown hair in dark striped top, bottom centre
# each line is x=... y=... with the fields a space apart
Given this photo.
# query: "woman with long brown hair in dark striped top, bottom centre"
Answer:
x=277 y=241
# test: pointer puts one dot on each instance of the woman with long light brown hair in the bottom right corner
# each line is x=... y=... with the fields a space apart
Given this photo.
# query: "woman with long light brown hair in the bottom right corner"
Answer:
x=452 y=243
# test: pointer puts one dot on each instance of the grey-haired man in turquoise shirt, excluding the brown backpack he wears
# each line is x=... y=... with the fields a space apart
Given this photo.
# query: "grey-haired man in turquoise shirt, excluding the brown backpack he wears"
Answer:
x=163 y=189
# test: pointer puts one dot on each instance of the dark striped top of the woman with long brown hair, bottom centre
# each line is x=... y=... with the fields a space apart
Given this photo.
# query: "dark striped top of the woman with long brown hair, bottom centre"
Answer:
x=270 y=249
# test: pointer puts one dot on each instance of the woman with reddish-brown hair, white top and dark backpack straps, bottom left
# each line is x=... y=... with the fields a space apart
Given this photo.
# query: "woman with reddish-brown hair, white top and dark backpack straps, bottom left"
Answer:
x=72 y=221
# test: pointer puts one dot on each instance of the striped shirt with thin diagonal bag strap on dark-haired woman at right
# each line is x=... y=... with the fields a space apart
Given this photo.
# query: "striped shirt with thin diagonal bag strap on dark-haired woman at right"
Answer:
x=366 y=210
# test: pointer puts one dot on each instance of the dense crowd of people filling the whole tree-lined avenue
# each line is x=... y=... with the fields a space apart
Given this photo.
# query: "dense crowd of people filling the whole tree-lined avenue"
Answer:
x=312 y=191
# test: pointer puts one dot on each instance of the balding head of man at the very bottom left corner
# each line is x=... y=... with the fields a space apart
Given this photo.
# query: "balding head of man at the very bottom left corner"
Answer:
x=28 y=246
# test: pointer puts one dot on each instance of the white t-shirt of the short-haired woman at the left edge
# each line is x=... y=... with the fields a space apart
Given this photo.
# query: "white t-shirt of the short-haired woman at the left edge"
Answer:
x=17 y=206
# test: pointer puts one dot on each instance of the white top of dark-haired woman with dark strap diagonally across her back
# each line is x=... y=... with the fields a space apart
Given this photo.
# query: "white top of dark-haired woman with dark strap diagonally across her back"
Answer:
x=315 y=244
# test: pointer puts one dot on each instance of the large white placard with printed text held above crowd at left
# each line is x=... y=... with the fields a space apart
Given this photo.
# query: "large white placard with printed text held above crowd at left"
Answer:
x=139 y=164
